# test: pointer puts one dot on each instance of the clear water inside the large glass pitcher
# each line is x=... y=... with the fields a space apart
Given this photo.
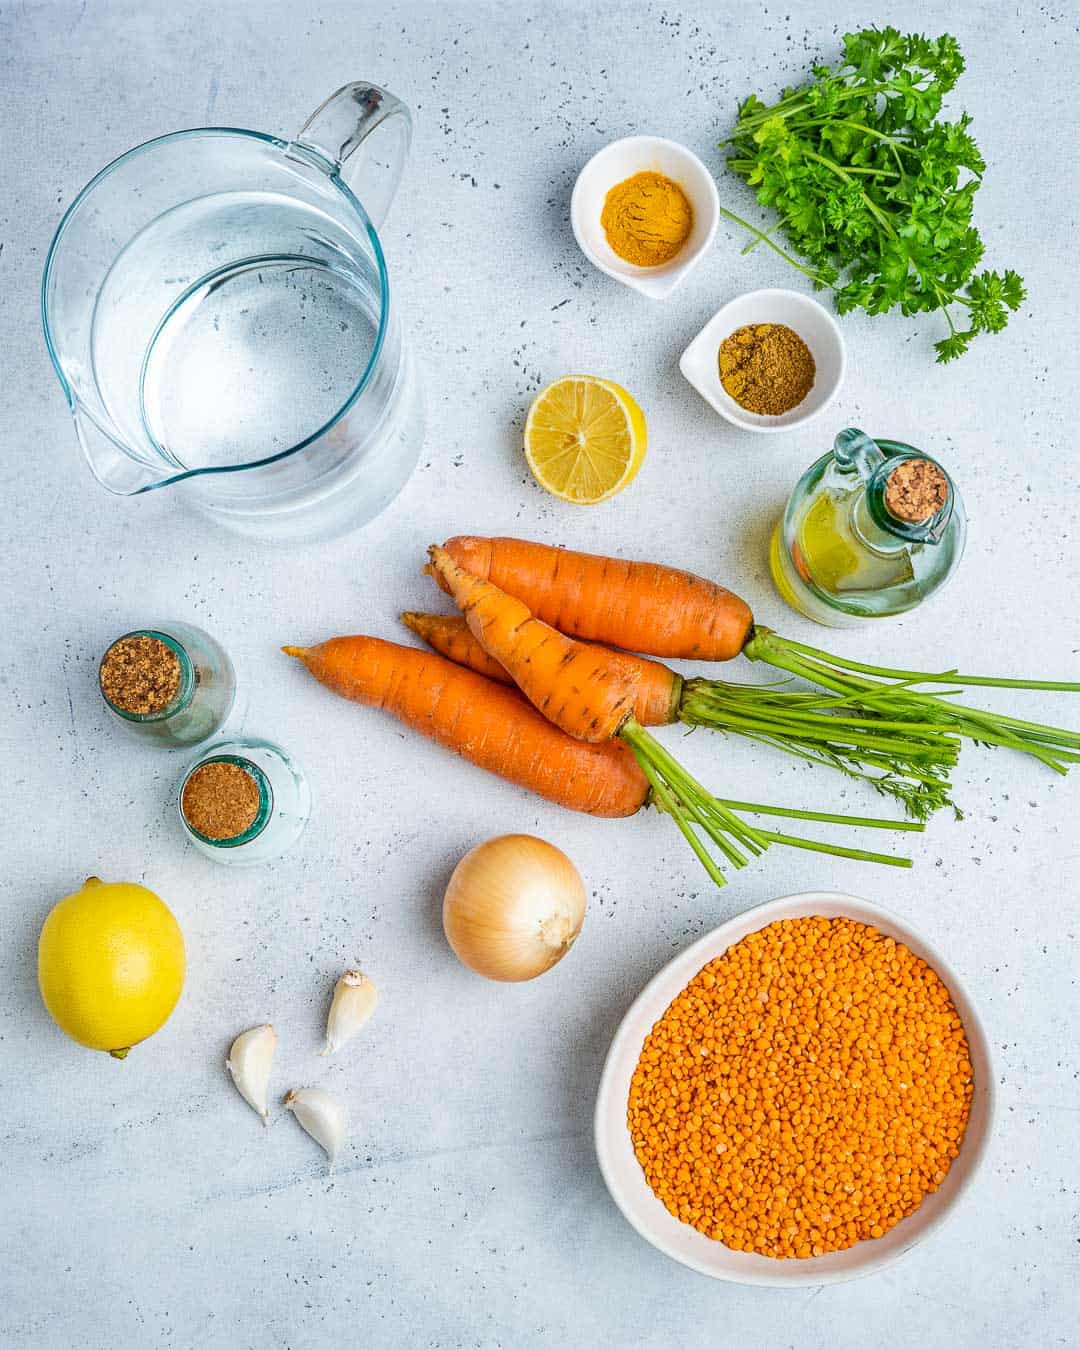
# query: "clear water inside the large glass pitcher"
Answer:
x=233 y=329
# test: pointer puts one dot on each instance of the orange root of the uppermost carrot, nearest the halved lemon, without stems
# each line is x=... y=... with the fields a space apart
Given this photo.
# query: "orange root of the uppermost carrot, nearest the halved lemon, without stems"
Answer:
x=638 y=607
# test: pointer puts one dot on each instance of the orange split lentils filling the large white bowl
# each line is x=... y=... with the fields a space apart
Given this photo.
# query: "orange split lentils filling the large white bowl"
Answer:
x=807 y=1090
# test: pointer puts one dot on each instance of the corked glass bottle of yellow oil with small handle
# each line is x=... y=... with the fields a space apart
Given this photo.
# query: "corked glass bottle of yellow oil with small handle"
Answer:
x=871 y=530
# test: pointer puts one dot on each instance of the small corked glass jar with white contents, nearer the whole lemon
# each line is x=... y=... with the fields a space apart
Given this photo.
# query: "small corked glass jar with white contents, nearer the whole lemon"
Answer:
x=244 y=803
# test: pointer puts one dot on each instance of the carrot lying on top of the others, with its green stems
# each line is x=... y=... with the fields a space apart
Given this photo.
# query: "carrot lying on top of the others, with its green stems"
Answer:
x=592 y=700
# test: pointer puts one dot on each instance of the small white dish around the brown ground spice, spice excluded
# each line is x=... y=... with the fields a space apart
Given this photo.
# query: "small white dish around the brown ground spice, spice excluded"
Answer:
x=811 y=321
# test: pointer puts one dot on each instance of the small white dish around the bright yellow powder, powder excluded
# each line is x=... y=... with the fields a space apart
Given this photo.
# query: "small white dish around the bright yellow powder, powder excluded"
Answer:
x=623 y=160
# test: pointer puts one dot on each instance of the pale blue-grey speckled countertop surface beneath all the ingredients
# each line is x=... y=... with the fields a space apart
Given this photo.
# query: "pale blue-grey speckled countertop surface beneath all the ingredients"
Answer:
x=144 y=1205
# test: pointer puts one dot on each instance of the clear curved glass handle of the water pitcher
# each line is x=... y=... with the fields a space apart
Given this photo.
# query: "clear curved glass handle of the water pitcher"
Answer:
x=341 y=133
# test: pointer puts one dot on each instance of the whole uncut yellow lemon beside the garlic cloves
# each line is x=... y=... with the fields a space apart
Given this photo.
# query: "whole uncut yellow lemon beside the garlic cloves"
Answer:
x=111 y=965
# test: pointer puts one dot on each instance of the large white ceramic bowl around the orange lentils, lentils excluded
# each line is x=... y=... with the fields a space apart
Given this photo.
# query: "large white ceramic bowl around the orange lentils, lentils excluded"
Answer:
x=627 y=1182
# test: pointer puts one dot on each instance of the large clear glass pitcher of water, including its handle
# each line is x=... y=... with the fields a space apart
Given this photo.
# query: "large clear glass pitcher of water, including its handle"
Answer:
x=218 y=310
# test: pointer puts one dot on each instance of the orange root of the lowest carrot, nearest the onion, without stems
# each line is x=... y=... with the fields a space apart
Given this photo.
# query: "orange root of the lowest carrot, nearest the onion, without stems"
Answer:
x=484 y=723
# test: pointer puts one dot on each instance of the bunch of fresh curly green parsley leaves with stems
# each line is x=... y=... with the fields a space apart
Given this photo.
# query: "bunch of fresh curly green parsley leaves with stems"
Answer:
x=873 y=191
